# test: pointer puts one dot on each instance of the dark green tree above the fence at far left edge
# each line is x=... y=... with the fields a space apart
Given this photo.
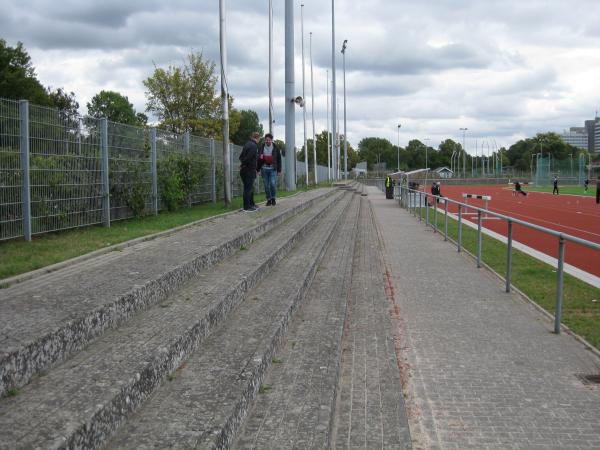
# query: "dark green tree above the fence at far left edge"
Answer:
x=17 y=76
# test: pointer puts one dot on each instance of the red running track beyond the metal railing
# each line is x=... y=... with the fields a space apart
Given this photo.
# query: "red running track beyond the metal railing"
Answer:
x=575 y=215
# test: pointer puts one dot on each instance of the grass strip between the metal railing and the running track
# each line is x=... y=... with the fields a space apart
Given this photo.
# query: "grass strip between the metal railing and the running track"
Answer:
x=581 y=302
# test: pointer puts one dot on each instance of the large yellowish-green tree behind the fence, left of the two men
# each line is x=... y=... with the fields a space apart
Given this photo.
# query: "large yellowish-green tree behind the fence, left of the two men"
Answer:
x=185 y=98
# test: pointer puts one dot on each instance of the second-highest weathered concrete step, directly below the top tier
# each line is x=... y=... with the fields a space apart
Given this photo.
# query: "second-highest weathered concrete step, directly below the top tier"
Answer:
x=79 y=403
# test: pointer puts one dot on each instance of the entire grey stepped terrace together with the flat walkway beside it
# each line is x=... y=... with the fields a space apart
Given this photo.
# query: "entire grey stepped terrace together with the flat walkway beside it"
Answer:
x=324 y=322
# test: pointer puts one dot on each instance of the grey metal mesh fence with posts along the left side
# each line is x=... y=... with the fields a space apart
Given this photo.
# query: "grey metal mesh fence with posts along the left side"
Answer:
x=61 y=171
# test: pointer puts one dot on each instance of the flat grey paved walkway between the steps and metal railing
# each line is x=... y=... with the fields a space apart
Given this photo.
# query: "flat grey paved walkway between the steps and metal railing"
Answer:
x=482 y=368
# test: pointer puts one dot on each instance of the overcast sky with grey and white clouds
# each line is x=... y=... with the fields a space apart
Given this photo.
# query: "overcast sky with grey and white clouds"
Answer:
x=504 y=69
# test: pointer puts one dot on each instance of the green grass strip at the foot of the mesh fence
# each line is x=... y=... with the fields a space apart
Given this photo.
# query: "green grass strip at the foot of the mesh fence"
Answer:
x=19 y=256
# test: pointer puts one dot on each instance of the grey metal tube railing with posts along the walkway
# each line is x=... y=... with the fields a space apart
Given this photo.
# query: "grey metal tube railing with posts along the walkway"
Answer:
x=412 y=199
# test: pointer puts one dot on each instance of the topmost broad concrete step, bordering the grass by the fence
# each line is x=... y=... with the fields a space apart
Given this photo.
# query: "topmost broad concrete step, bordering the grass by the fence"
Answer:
x=47 y=318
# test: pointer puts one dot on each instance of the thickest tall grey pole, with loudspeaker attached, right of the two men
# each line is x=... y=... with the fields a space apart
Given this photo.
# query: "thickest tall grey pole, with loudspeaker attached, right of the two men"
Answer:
x=290 y=118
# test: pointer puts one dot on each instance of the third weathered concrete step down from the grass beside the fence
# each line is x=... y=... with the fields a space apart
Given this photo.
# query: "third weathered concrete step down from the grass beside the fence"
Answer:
x=204 y=404
